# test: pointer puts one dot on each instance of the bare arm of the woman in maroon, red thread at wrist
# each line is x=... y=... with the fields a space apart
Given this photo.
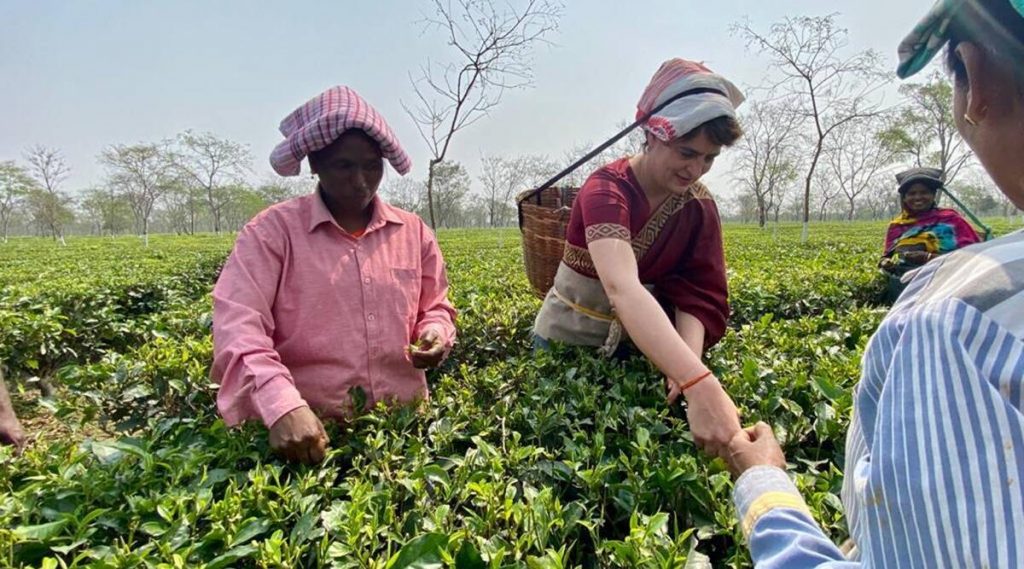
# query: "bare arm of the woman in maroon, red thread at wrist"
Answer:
x=713 y=416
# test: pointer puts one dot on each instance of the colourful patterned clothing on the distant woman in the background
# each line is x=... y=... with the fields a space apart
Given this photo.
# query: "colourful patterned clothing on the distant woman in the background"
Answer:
x=938 y=231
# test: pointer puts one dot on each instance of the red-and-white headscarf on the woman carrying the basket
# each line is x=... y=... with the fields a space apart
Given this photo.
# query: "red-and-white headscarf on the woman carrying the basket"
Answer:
x=685 y=115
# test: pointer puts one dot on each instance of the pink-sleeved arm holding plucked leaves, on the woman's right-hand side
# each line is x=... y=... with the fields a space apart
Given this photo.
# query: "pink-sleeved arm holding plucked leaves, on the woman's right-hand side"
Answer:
x=436 y=330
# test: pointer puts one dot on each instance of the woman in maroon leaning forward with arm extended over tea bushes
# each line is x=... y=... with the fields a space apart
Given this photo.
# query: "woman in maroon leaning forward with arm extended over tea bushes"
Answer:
x=644 y=251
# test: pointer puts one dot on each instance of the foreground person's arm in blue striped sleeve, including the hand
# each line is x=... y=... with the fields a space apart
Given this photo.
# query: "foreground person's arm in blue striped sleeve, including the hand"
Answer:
x=946 y=458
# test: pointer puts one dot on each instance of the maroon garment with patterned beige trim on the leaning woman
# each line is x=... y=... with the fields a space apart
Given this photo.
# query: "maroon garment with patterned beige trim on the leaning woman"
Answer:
x=678 y=247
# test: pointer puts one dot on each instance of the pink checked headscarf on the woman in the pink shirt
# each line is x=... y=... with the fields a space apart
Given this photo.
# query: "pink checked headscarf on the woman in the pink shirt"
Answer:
x=323 y=119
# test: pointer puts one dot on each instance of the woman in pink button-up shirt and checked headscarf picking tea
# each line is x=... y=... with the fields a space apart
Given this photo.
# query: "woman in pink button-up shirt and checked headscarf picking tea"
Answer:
x=324 y=294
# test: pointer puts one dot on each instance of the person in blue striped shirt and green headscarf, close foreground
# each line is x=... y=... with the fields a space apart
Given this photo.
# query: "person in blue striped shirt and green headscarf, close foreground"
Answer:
x=935 y=453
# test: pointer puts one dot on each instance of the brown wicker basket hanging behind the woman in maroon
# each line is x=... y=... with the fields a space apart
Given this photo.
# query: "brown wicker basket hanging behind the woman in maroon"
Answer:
x=543 y=217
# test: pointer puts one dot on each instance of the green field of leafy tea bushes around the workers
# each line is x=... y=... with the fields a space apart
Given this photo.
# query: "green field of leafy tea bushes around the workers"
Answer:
x=563 y=460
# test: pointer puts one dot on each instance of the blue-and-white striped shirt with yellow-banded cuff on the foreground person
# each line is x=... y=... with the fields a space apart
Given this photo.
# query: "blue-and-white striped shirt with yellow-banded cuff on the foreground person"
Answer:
x=935 y=454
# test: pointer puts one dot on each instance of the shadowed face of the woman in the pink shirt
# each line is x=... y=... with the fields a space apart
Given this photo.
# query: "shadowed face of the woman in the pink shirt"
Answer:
x=350 y=169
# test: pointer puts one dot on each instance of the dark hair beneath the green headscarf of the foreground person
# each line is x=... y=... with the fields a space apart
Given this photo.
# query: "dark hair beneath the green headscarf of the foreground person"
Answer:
x=994 y=26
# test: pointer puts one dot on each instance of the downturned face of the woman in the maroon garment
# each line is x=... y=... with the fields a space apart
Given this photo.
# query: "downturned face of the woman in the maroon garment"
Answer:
x=678 y=164
